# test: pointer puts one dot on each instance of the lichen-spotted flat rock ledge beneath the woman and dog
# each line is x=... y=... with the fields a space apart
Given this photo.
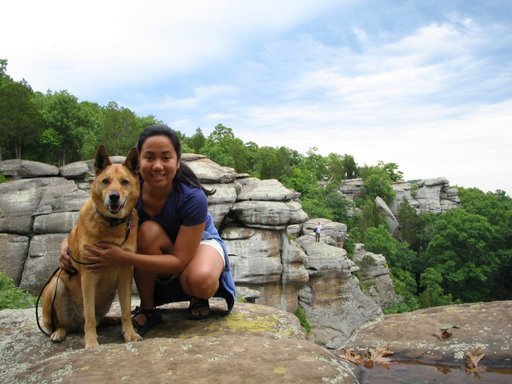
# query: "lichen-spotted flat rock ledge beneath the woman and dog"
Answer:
x=253 y=344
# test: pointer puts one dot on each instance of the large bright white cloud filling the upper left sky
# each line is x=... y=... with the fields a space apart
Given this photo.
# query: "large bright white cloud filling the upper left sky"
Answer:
x=99 y=44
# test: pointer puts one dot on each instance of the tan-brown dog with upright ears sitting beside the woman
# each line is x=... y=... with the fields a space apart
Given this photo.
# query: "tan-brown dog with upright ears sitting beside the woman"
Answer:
x=75 y=300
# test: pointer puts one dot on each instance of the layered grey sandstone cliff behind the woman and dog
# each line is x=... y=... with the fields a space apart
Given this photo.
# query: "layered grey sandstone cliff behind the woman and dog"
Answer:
x=269 y=237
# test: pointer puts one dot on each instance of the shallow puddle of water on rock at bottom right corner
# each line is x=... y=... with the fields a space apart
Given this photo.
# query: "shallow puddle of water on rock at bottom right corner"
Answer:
x=418 y=373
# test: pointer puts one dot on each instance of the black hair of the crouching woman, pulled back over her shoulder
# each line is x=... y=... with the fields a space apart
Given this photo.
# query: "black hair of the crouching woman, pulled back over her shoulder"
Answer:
x=184 y=173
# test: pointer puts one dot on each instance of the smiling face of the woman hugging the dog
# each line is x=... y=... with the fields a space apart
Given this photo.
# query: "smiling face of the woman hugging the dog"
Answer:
x=158 y=161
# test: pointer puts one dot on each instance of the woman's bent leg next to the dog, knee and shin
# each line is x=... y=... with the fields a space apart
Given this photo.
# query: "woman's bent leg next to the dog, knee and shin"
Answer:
x=151 y=240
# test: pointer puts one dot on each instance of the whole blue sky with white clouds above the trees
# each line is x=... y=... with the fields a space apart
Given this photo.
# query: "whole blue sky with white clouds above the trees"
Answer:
x=424 y=84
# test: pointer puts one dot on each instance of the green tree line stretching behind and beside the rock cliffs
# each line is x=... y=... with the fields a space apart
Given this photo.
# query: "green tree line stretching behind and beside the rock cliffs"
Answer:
x=463 y=255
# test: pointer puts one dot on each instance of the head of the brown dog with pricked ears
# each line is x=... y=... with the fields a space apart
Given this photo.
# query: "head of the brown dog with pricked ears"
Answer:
x=115 y=189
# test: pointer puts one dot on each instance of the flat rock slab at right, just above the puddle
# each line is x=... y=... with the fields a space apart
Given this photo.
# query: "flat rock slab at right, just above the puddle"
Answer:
x=412 y=335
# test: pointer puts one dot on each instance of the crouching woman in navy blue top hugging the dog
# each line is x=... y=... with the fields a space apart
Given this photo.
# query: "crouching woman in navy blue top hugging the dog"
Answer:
x=180 y=254
